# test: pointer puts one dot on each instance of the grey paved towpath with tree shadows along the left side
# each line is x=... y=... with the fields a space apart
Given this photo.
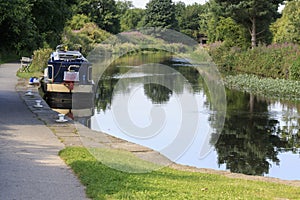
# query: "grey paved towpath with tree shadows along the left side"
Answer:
x=30 y=167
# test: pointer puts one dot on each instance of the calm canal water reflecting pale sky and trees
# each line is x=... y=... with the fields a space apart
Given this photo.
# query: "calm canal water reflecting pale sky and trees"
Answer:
x=260 y=136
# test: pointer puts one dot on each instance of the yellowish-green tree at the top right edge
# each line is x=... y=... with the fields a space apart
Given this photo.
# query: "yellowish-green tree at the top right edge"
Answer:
x=286 y=28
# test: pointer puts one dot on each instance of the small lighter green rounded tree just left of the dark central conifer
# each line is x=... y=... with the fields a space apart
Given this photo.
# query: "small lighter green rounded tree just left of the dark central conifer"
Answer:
x=131 y=19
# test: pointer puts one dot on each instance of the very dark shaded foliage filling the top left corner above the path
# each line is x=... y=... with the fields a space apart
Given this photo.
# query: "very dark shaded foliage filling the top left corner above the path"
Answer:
x=26 y=25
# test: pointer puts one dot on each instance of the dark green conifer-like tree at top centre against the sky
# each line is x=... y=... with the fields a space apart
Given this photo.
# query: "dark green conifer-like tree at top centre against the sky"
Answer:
x=160 y=13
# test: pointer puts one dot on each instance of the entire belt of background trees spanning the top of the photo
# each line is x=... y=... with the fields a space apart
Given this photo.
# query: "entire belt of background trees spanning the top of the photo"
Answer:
x=26 y=25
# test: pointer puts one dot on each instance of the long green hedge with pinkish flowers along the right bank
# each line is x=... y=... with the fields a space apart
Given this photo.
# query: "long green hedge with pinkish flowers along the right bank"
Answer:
x=276 y=61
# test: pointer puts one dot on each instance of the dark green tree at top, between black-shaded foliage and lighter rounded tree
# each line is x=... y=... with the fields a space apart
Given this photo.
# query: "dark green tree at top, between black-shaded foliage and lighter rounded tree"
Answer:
x=103 y=12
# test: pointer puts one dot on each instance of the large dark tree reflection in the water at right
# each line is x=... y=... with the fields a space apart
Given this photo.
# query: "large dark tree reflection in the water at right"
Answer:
x=250 y=138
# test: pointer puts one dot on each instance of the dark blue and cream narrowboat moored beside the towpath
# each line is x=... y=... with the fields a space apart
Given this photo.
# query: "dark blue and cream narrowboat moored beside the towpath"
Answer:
x=67 y=80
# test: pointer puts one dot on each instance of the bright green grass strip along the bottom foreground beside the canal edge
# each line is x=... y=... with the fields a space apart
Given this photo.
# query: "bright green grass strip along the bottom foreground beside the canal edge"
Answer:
x=103 y=182
